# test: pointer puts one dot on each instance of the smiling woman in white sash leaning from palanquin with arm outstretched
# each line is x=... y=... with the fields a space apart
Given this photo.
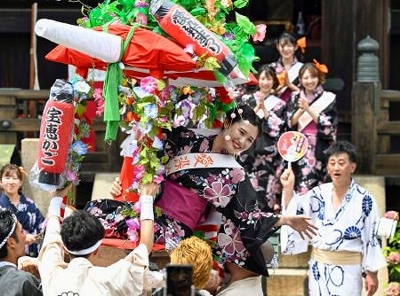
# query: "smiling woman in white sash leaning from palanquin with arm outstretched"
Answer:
x=203 y=176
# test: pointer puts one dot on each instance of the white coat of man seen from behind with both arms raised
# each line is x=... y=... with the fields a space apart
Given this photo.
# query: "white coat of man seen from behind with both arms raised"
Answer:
x=79 y=277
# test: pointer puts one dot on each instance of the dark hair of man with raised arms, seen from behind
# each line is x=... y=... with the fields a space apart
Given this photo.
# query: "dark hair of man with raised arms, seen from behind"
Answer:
x=81 y=230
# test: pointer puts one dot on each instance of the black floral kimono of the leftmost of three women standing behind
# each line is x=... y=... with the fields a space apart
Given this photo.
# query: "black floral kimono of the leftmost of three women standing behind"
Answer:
x=262 y=161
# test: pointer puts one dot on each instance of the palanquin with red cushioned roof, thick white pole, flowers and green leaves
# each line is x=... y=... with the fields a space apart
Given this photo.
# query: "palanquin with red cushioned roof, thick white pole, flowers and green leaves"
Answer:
x=155 y=54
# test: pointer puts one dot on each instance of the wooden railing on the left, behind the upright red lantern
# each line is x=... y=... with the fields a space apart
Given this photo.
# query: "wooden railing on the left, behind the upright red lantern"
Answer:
x=20 y=112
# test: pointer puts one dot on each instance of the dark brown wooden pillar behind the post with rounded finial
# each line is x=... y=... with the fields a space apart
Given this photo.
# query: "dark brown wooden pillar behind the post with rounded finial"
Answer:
x=344 y=23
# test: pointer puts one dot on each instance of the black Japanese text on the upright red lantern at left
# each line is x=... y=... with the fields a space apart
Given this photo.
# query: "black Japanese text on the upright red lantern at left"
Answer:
x=51 y=138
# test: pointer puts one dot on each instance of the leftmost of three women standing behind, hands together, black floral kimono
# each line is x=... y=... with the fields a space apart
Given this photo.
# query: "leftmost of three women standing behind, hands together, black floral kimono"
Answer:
x=262 y=161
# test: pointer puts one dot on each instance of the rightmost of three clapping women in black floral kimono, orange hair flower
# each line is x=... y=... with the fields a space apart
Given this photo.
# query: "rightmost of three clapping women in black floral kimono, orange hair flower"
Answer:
x=312 y=111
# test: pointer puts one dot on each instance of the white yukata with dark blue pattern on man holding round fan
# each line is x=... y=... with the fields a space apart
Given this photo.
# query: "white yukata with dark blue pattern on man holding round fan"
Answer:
x=350 y=228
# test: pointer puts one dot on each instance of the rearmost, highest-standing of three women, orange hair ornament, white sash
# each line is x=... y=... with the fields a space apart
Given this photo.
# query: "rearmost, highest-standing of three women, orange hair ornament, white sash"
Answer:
x=287 y=66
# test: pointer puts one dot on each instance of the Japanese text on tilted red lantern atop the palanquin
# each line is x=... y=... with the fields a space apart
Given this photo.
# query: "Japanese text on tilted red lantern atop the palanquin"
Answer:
x=196 y=31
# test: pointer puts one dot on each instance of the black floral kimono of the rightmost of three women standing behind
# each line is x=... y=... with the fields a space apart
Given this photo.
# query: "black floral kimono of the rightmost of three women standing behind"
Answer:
x=310 y=171
